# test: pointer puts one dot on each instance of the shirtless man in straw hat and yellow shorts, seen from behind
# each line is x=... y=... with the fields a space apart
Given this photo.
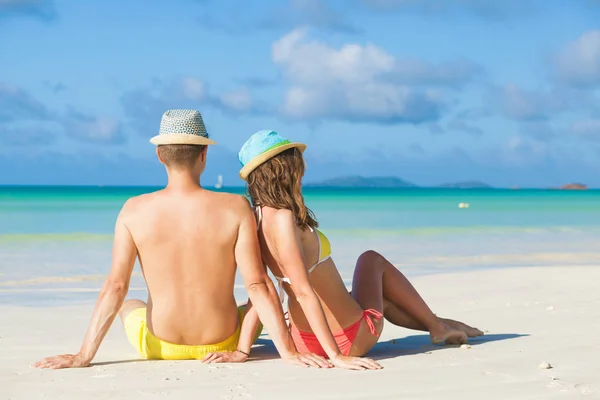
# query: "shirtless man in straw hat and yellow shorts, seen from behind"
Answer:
x=188 y=241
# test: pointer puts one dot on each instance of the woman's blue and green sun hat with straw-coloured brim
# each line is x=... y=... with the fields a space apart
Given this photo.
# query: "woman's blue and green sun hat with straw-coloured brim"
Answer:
x=261 y=147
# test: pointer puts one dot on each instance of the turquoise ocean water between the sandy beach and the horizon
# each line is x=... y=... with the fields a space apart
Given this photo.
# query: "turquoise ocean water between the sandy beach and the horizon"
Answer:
x=55 y=242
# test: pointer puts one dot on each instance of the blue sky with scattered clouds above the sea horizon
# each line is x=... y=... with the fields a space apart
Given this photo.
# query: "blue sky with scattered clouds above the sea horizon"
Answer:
x=432 y=91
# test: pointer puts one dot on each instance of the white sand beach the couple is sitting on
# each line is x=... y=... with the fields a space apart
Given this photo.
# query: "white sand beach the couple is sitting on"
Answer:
x=532 y=315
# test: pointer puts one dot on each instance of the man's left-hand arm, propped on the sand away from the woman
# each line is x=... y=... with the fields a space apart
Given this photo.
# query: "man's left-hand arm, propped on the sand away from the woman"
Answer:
x=109 y=301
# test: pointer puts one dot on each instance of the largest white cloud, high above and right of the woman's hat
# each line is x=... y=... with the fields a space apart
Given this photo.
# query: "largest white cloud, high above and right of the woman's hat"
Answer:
x=362 y=82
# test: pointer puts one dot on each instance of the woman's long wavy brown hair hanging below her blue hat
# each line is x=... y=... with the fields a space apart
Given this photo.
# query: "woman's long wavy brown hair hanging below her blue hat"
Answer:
x=277 y=183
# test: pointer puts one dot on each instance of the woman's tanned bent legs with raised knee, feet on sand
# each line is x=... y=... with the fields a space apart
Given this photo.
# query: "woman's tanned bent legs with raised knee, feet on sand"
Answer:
x=378 y=284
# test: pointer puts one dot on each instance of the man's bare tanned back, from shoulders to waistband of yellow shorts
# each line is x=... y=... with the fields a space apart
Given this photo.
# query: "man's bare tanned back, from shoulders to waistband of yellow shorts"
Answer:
x=185 y=243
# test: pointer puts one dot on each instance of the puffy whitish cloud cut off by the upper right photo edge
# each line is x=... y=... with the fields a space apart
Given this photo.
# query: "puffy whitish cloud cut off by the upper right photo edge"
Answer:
x=579 y=62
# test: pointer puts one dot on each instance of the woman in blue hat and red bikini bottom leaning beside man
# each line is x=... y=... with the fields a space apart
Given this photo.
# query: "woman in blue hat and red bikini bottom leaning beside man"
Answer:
x=324 y=318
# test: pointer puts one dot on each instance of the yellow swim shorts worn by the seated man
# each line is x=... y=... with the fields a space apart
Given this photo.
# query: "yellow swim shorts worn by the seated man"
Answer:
x=151 y=347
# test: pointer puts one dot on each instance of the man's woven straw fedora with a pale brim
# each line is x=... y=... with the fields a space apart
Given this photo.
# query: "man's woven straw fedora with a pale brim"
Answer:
x=182 y=127
